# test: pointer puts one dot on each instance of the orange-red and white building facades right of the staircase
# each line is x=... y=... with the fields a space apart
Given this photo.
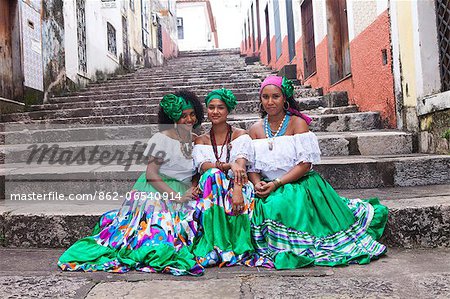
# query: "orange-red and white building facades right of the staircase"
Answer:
x=390 y=56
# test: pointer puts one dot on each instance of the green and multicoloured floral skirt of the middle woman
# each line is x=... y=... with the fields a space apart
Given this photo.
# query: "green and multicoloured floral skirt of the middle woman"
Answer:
x=223 y=238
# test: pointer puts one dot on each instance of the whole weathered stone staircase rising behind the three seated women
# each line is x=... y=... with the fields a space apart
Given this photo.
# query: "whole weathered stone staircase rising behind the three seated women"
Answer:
x=119 y=115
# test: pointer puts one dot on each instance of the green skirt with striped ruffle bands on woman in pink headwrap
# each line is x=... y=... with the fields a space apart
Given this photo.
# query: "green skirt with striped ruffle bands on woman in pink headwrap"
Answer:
x=308 y=223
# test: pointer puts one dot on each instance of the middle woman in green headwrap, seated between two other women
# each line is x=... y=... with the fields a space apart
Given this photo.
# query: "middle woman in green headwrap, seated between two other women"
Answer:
x=226 y=196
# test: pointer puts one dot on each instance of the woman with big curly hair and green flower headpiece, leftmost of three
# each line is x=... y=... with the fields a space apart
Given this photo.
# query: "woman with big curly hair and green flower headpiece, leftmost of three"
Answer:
x=154 y=228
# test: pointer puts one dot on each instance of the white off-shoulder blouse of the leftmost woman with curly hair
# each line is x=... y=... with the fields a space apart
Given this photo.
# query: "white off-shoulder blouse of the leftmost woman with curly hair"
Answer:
x=176 y=165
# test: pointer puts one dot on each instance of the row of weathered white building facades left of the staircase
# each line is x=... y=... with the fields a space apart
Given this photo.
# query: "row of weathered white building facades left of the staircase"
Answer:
x=57 y=45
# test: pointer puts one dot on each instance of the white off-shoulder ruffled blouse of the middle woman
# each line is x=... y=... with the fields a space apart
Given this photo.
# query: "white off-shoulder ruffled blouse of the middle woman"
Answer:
x=241 y=147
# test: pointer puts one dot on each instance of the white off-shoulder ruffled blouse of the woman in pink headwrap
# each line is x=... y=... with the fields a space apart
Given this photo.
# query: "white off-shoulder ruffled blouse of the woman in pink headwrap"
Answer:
x=287 y=152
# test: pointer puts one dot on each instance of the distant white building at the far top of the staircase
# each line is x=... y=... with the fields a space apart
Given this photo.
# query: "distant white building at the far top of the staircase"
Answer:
x=196 y=27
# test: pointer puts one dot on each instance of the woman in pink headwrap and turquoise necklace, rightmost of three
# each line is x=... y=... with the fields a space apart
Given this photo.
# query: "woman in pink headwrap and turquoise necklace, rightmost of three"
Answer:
x=298 y=218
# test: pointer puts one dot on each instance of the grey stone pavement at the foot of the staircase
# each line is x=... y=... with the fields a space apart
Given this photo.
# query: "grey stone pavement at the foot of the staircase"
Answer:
x=32 y=273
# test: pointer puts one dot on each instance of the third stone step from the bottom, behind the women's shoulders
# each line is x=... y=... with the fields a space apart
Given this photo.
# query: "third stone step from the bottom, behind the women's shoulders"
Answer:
x=339 y=144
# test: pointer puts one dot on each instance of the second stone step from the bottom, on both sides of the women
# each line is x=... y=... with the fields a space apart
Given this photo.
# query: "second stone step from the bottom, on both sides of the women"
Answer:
x=351 y=172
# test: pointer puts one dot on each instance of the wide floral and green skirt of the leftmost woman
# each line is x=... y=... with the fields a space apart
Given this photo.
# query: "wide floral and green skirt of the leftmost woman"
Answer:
x=145 y=234
